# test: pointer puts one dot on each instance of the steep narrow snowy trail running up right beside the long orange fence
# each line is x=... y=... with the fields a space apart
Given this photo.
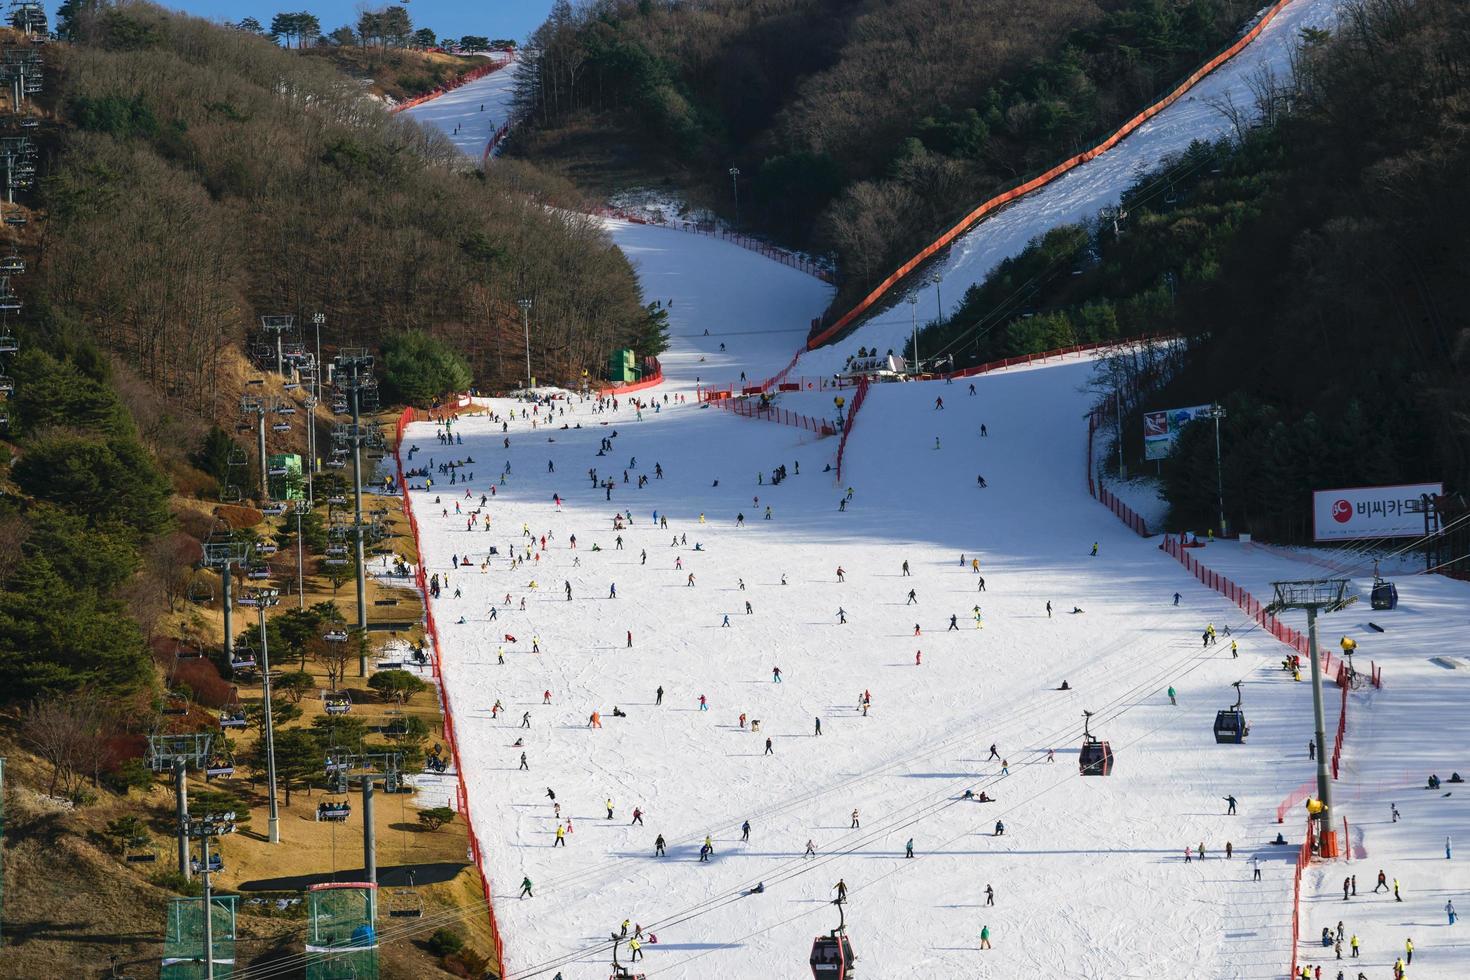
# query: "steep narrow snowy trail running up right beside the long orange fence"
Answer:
x=1080 y=195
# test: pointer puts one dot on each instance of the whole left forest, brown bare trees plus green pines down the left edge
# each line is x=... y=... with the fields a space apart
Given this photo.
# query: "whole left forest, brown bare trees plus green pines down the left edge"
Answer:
x=195 y=179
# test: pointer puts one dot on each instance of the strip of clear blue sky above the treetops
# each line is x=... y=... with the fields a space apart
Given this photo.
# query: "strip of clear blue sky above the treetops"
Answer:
x=449 y=18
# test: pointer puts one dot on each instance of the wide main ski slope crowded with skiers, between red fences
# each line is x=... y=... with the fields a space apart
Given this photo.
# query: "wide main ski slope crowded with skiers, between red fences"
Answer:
x=1089 y=875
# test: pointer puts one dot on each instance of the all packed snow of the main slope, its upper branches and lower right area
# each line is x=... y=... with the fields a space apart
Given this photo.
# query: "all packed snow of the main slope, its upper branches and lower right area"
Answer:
x=1090 y=876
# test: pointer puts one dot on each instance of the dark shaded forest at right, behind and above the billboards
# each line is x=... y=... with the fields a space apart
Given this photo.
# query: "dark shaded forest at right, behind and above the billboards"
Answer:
x=1315 y=265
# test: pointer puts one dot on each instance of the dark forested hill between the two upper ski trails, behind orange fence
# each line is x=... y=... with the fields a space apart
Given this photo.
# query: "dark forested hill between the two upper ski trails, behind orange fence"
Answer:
x=861 y=130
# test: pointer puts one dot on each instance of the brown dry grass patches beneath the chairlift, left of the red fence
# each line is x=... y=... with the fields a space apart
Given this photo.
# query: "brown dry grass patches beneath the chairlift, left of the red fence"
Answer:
x=71 y=904
